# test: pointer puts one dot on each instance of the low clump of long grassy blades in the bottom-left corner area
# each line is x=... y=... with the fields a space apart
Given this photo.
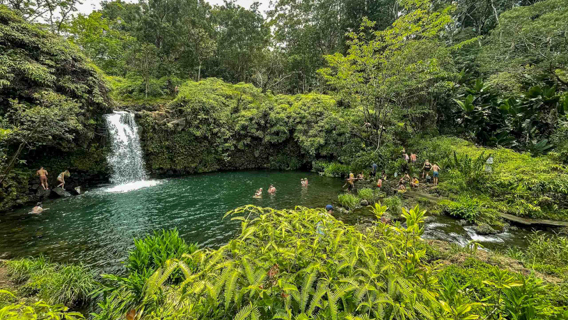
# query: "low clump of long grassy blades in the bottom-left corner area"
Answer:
x=70 y=285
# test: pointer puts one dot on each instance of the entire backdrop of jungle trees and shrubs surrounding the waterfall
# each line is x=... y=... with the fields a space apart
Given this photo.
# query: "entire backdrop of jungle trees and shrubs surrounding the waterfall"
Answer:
x=326 y=80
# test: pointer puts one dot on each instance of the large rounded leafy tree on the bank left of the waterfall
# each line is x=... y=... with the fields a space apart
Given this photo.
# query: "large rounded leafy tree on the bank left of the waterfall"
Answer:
x=51 y=102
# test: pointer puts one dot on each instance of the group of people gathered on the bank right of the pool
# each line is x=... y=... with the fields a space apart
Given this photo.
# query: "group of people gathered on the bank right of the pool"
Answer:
x=405 y=179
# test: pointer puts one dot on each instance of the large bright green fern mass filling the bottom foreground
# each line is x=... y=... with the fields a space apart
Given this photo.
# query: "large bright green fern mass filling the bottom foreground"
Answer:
x=304 y=264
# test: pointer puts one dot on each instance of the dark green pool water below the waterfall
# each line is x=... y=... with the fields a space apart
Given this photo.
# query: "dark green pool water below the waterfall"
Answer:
x=97 y=227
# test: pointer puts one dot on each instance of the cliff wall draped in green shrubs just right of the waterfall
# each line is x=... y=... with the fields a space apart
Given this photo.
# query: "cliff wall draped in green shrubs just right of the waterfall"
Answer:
x=212 y=125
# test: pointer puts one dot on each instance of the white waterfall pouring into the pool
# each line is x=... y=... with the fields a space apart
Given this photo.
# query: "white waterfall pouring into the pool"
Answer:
x=126 y=158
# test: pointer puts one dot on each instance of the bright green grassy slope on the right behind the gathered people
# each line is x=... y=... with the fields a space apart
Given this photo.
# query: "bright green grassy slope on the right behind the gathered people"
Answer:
x=515 y=183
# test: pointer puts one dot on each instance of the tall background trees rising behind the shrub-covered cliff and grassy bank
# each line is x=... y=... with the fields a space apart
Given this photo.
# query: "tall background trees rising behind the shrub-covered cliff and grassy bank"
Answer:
x=495 y=71
